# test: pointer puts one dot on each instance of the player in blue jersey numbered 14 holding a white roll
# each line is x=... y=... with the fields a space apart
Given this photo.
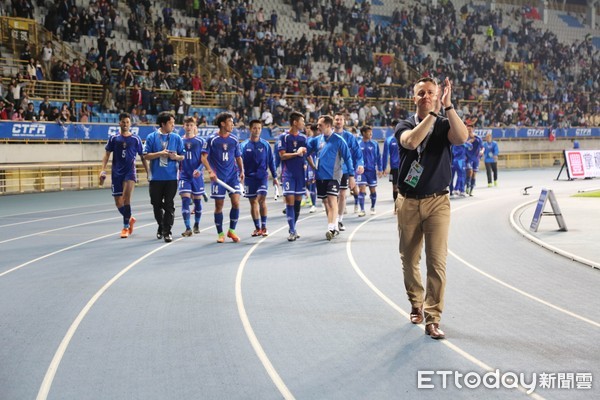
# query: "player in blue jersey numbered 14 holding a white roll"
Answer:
x=220 y=155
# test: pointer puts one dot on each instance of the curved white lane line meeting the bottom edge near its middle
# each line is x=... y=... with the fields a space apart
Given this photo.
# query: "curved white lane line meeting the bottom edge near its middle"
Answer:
x=239 y=299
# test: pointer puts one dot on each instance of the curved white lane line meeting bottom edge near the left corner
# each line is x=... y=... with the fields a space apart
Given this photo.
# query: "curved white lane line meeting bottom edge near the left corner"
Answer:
x=64 y=344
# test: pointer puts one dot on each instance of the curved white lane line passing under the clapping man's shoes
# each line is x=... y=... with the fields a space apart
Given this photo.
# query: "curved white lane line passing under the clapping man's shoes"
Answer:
x=397 y=308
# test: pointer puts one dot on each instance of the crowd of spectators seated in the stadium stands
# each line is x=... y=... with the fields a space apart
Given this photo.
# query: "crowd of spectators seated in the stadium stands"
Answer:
x=470 y=45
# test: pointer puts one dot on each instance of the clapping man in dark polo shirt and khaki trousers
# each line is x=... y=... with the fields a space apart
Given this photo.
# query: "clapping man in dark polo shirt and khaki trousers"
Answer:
x=423 y=207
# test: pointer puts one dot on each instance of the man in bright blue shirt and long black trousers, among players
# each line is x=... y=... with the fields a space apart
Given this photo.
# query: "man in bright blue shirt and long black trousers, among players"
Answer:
x=164 y=149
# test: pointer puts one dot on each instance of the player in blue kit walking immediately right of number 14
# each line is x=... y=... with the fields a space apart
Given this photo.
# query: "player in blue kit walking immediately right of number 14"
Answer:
x=258 y=160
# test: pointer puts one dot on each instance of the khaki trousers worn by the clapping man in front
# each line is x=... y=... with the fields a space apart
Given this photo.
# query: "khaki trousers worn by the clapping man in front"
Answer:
x=427 y=219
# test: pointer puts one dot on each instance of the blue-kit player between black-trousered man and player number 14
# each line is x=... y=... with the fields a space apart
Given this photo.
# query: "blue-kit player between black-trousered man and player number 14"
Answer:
x=191 y=176
